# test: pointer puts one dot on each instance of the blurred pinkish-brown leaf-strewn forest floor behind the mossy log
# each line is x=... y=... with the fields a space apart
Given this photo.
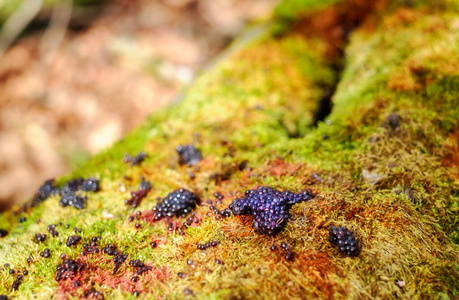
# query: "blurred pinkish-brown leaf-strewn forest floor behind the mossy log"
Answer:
x=62 y=100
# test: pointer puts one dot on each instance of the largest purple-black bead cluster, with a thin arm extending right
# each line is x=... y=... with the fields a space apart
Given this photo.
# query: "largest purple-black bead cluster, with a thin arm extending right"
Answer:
x=269 y=207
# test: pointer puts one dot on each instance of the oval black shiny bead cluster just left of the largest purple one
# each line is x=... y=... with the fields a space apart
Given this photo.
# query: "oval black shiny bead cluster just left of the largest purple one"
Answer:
x=178 y=203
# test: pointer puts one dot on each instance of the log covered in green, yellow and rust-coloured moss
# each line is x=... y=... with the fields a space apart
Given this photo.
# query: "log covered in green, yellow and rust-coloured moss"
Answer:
x=358 y=102
